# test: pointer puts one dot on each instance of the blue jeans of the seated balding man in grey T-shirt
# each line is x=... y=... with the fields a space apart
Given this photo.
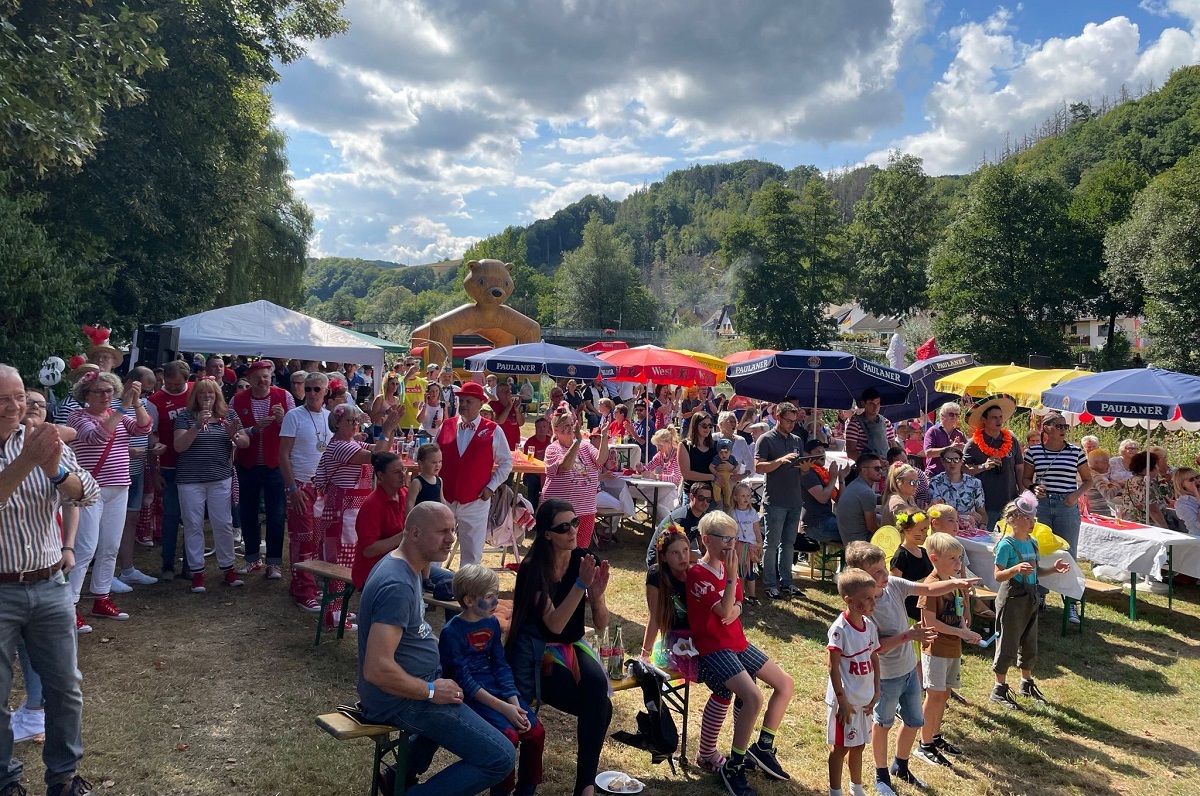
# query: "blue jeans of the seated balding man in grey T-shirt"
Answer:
x=487 y=757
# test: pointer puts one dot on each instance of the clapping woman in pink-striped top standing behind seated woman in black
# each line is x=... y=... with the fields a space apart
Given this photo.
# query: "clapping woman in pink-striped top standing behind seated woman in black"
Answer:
x=573 y=471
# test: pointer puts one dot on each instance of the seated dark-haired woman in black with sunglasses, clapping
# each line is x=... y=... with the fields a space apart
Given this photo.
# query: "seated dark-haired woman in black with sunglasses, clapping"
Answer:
x=551 y=663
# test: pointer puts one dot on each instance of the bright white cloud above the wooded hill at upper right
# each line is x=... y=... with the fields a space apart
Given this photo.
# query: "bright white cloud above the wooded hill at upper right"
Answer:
x=999 y=86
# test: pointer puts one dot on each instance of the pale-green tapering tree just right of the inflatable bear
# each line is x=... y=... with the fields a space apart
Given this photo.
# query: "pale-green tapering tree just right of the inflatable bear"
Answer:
x=598 y=288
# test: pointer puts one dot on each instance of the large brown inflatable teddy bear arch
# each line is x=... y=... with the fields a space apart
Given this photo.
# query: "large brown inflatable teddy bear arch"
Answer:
x=489 y=284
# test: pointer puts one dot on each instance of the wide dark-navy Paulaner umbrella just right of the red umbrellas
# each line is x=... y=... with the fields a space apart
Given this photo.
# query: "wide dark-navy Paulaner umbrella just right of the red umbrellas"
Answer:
x=831 y=380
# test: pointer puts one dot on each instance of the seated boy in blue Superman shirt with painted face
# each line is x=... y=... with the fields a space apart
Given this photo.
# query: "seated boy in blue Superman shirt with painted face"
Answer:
x=473 y=656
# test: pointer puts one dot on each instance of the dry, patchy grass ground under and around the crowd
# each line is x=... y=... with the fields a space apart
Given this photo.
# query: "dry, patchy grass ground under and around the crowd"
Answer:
x=217 y=695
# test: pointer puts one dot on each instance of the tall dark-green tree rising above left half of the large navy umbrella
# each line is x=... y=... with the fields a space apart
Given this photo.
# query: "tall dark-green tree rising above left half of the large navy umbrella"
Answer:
x=789 y=258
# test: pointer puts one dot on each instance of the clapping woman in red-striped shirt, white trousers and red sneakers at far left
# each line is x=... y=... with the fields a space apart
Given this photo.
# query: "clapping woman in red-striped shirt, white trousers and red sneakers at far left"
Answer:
x=103 y=447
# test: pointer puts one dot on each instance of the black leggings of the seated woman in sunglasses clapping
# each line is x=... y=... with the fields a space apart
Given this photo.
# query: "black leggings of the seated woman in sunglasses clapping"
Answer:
x=587 y=698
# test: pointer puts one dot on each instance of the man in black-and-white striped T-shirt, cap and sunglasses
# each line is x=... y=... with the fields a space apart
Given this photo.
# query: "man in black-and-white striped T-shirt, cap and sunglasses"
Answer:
x=1059 y=475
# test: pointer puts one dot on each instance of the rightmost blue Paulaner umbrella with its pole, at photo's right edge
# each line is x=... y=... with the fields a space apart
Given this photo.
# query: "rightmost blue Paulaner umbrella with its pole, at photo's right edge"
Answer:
x=1149 y=396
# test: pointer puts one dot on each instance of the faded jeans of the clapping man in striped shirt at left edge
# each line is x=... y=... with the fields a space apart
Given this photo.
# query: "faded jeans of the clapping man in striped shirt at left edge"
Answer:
x=43 y=615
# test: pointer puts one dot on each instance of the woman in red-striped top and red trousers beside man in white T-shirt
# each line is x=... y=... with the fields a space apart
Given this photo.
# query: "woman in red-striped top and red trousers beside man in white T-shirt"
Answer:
x=344 y=482
